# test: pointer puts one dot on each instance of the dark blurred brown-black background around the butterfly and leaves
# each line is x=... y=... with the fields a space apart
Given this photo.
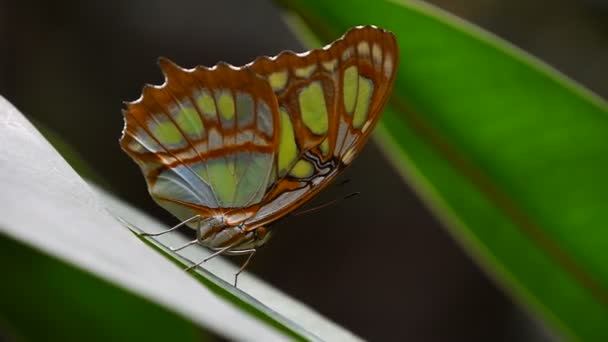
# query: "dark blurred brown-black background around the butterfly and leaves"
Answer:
x=68 y=65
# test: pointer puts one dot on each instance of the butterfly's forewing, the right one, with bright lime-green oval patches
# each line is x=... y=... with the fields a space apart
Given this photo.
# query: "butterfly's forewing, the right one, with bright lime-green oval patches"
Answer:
x=329 y=101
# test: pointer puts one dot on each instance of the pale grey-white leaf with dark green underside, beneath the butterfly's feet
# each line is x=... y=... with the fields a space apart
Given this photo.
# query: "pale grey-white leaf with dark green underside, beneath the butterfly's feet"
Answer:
x=72 y=271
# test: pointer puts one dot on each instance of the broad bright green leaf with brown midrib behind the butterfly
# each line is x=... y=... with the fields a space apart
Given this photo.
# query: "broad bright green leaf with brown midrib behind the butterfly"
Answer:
x=509 y=153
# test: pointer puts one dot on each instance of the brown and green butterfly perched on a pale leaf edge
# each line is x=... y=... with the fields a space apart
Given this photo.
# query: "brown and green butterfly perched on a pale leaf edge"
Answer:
x=230 y=150
